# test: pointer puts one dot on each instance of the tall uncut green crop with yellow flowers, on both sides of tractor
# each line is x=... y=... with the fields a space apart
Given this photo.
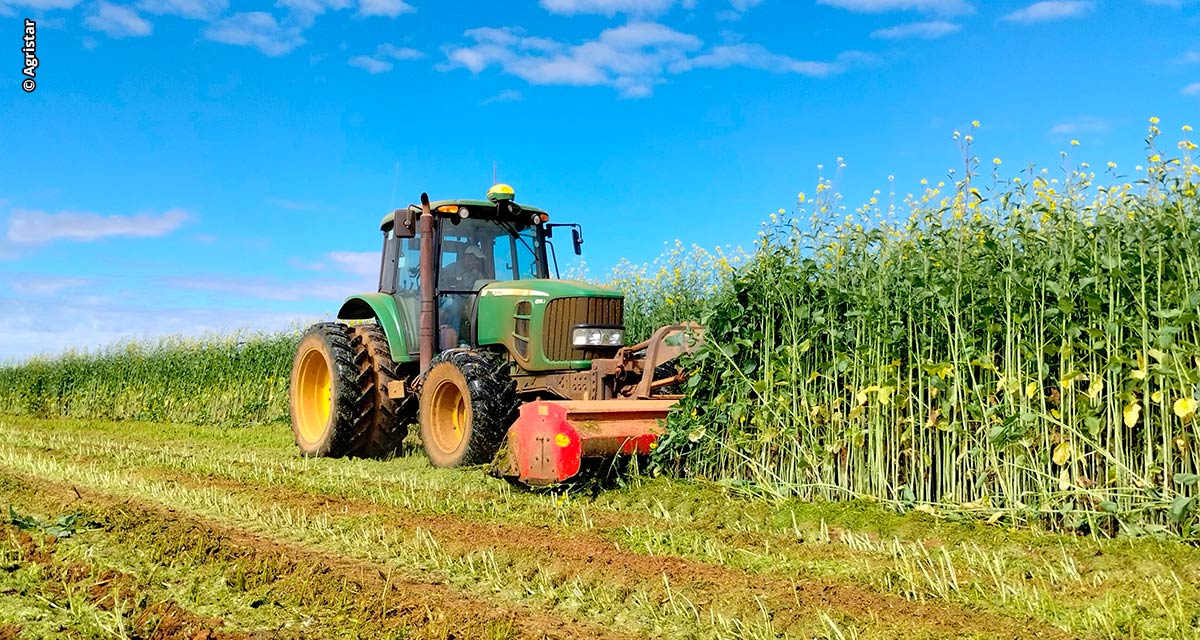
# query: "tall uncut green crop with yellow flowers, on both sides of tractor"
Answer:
x=1021 y=349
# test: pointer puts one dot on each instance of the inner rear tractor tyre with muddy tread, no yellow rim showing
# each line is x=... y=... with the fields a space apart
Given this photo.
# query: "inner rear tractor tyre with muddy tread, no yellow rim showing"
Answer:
x=382 y=432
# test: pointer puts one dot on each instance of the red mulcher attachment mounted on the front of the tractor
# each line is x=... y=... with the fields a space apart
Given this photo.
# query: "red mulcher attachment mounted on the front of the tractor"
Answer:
x=551 y=439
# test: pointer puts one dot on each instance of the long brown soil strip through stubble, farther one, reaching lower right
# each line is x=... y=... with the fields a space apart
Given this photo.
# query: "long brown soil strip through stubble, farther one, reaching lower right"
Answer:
x=793 y=602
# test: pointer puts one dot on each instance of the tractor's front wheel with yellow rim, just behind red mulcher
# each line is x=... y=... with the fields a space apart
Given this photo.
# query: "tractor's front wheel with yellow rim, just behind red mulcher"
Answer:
x=467 y=405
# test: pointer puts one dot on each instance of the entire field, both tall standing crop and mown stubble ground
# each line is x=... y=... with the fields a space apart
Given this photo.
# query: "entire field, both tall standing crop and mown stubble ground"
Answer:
x=969 y=411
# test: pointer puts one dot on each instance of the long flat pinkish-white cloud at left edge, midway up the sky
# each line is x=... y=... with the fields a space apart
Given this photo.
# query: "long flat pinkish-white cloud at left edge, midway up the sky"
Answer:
x=27 y=228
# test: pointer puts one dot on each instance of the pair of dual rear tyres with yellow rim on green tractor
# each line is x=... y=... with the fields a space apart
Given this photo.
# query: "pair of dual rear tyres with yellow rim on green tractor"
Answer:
x=339 y=393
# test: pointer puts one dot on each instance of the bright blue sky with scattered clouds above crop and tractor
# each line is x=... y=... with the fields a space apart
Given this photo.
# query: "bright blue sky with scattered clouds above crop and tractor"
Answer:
x=189 y=166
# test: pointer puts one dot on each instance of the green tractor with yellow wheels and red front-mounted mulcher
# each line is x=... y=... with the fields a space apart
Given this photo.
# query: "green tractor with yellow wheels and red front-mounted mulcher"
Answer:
x=471 y=338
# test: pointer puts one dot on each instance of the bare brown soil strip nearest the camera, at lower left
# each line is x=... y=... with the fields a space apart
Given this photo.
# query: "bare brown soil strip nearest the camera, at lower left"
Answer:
x=430 y=607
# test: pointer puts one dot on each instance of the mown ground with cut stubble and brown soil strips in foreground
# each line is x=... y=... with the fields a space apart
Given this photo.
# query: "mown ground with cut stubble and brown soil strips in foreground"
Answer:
x=146 y=530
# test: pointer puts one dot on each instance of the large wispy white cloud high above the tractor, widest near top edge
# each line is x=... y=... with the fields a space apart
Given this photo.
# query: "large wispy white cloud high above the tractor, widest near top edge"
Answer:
x=633 y=58
